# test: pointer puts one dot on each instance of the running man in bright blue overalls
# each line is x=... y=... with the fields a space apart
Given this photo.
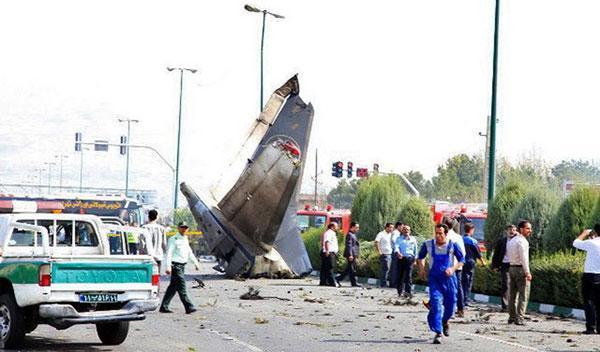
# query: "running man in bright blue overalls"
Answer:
x=442 y=285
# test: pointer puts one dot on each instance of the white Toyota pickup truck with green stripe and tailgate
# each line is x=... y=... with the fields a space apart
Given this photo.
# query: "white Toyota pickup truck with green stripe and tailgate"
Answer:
x=56 y=269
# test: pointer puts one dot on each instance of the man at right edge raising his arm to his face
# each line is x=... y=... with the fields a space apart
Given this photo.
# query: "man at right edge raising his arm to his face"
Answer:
x=589 y=241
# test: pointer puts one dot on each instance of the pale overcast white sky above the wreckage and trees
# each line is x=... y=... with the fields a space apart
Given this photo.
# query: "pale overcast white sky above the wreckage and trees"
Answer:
x=405 y=84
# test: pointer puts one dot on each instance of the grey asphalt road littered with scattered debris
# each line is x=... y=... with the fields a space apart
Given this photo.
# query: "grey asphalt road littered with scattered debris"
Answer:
x=302 y=316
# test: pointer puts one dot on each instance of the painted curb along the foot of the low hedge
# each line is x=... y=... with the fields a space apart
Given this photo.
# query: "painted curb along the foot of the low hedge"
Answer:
x=532 y=306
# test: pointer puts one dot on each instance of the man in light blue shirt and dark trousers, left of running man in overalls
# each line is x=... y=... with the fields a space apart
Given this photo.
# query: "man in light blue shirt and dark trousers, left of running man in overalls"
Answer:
x=405 y=253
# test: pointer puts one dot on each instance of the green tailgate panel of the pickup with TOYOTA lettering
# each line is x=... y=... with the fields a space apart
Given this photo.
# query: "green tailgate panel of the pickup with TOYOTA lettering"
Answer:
x=78 y=273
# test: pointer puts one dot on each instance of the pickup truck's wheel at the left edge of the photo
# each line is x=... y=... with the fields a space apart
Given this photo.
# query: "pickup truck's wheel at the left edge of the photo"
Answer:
x=12 y=324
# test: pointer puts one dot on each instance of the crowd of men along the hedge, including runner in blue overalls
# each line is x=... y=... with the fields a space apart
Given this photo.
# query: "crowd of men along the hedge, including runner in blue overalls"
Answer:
x=452 y=259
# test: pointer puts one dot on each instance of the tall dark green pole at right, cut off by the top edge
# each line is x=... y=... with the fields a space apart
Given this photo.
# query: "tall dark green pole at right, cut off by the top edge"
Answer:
x=492 y=131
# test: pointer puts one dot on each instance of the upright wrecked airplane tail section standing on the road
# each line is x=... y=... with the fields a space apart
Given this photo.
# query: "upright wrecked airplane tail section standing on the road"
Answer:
x=249 y=221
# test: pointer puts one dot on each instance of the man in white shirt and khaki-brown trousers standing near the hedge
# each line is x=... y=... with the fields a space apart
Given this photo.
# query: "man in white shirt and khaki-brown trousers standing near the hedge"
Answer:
x=517 y=250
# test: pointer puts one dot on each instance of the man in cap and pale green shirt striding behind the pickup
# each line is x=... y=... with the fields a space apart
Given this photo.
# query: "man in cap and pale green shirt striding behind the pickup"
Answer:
x=178 y=254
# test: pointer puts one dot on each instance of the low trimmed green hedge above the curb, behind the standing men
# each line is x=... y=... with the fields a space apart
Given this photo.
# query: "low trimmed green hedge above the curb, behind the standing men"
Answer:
x=556 y=277
